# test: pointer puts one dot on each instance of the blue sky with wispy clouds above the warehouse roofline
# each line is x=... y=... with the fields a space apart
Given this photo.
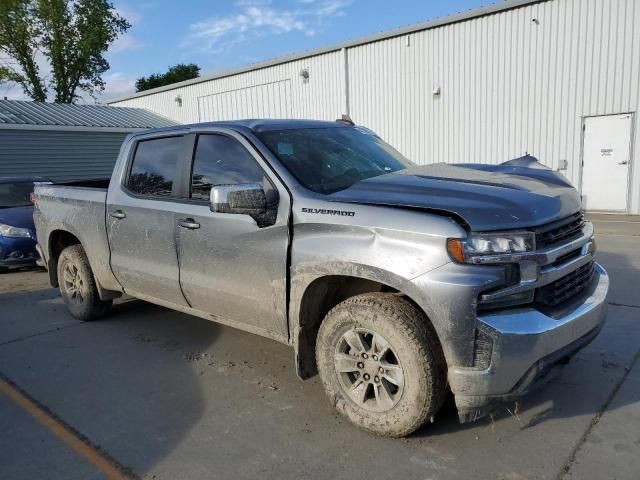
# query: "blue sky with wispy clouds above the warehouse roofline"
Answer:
x=219 y=34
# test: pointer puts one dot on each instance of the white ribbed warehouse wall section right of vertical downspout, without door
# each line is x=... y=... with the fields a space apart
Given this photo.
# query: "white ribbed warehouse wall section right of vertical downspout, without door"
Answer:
x=514 y=82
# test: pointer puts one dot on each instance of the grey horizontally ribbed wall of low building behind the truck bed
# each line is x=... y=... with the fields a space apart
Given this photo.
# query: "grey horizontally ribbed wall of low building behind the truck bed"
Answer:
x=58 y=155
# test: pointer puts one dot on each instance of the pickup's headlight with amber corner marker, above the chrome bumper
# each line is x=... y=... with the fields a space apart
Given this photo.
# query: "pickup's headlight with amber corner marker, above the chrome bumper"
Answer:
x=468 y=250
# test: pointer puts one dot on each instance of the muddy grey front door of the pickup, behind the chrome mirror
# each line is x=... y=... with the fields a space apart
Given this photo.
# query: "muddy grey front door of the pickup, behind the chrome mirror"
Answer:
x=230 y=267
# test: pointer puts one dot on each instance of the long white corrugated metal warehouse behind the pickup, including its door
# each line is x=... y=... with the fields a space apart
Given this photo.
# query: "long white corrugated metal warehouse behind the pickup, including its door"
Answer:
x=558 y=79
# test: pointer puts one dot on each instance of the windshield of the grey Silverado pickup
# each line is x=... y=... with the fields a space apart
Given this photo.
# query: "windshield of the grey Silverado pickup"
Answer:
x=326 y=160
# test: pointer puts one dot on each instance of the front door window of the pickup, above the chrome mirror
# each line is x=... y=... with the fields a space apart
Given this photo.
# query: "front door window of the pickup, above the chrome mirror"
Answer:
x=221 y=160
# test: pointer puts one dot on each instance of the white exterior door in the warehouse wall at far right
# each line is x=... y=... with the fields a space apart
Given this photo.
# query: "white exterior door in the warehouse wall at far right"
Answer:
x=607 y=158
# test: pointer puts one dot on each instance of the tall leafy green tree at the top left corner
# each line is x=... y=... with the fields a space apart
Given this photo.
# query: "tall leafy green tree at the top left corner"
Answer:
x=72 y=36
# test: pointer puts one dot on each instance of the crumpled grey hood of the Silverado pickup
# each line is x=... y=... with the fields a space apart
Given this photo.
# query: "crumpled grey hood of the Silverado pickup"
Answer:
x=486 y=197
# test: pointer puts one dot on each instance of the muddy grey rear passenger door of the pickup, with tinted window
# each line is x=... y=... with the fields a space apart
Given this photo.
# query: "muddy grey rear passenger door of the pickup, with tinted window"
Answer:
x=141 y=220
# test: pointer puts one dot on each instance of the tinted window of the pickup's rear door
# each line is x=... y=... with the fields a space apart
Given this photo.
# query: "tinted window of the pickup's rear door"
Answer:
x=154 y=167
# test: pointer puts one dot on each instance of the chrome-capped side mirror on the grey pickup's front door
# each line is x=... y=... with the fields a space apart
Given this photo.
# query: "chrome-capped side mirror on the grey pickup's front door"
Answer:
x=244 y=198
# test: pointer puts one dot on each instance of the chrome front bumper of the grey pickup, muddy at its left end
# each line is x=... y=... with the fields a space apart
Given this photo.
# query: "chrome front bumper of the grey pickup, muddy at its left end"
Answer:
x=528 y=345
